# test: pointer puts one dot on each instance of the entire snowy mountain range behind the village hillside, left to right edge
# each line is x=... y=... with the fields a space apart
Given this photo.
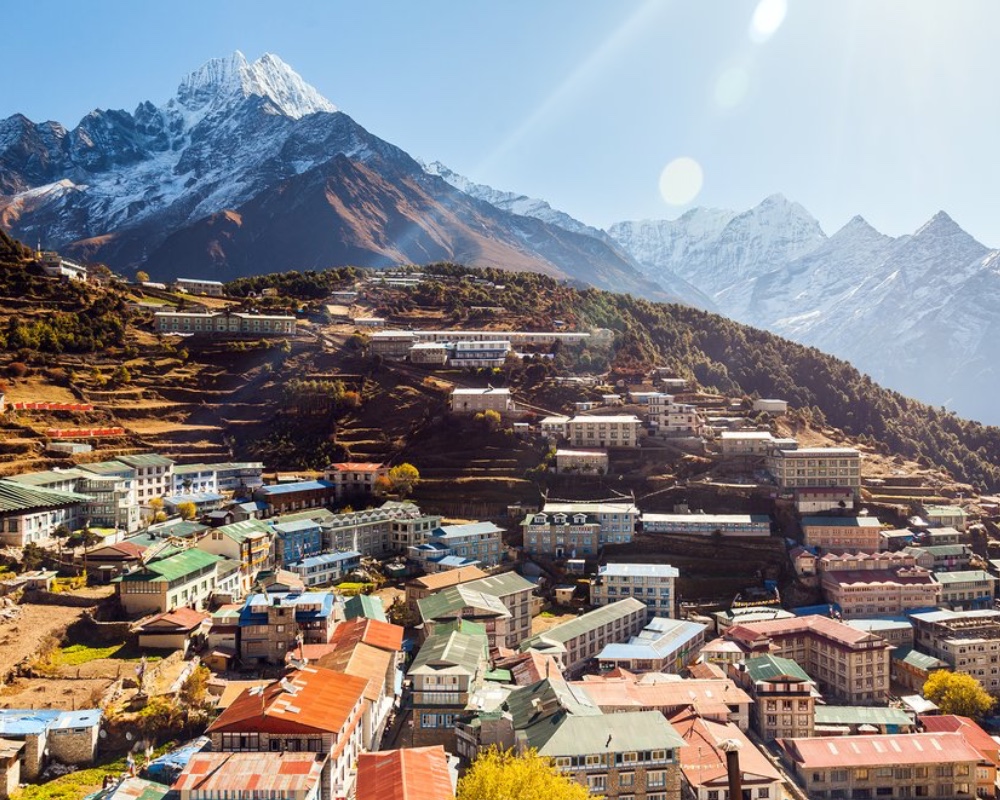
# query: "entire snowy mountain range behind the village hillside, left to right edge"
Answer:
x=248 y=169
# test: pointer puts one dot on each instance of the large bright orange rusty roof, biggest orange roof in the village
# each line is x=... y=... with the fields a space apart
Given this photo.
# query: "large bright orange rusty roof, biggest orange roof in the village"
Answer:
x=322 y=700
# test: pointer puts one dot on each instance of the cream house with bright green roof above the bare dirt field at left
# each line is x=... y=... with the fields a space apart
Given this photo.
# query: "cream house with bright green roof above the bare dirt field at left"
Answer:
x=170 y=579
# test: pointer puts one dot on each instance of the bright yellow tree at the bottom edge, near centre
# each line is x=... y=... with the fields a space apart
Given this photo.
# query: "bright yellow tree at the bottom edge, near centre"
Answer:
x=503 y=775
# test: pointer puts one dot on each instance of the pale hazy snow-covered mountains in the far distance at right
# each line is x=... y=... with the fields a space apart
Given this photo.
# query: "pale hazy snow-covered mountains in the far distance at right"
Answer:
x=919 y=313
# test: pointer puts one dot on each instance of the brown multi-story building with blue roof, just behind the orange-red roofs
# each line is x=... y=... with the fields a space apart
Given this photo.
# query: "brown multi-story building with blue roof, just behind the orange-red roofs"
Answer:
x=270 y=624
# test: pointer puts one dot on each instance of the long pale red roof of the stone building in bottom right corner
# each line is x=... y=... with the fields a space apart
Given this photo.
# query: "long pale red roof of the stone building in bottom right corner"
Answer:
x=879 y=750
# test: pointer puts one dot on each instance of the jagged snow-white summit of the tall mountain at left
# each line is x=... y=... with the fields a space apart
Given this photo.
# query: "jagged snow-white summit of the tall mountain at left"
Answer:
x=220 y=81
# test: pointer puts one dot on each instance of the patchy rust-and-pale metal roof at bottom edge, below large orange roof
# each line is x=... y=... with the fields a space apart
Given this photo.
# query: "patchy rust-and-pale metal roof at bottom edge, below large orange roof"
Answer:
x=282 y=773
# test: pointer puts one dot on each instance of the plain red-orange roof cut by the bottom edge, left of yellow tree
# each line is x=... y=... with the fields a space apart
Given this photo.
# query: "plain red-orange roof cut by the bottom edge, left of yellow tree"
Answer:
x=417 y=773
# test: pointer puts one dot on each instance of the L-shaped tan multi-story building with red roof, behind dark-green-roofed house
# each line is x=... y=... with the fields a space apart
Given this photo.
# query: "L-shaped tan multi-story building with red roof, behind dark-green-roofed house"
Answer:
x=846 y=663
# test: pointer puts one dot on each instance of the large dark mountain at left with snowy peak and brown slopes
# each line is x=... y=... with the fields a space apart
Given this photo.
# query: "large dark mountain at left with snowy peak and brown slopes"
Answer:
x=249 y=169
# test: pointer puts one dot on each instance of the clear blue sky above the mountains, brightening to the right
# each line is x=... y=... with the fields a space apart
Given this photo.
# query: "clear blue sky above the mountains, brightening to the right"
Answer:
x=875 y=107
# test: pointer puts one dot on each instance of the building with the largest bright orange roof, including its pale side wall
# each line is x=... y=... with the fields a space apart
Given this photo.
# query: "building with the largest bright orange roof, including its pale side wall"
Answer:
x=310 y=710
